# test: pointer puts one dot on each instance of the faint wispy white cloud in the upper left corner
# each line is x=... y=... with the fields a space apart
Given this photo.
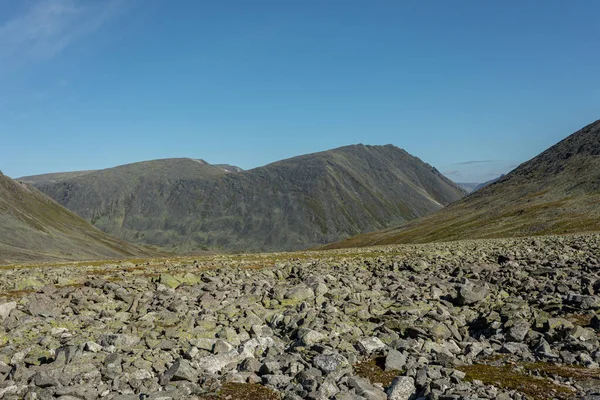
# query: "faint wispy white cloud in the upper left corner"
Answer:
x=47 y=27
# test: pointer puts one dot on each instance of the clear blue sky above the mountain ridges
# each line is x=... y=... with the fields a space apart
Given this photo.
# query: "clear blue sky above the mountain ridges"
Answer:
x=471 y=87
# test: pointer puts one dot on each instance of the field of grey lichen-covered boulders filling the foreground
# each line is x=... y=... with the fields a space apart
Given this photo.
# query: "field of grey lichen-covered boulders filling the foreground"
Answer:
x=501 y=319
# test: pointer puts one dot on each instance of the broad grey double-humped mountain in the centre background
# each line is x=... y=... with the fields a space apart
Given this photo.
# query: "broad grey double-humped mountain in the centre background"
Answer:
x=188 y=205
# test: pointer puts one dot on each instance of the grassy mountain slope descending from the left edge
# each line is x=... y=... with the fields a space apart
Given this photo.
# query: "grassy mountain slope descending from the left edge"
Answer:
x=34 y=227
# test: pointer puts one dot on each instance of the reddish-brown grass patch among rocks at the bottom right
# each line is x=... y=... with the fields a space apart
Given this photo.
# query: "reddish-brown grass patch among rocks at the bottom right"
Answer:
x=510 y=378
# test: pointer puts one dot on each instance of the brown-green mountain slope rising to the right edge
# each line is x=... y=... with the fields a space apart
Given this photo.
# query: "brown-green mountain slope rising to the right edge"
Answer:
x=554 y=193
